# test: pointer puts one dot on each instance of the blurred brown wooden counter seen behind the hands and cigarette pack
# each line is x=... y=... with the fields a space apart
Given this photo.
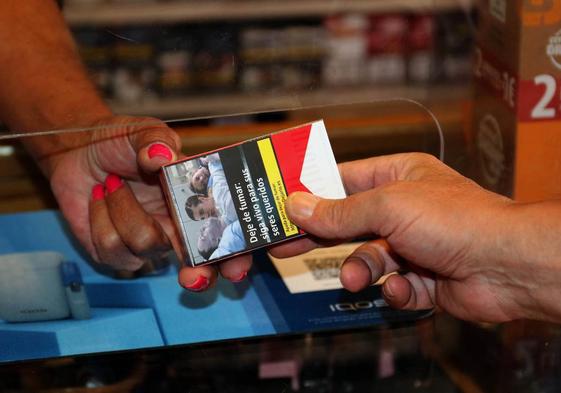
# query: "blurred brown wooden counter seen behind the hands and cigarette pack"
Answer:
x=356 y=131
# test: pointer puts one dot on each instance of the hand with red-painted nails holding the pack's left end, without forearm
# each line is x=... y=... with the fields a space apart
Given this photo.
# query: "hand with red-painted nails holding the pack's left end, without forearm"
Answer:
x=109 y=191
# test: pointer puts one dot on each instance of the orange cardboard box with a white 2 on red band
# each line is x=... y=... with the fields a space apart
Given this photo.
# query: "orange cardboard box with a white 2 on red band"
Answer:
x=517 y=117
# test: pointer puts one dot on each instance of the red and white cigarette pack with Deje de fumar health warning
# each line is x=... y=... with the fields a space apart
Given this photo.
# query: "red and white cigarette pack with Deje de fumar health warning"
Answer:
x=231 y=201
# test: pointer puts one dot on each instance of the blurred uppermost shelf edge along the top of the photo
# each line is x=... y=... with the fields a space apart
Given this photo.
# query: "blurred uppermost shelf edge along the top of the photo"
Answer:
x=234 y=10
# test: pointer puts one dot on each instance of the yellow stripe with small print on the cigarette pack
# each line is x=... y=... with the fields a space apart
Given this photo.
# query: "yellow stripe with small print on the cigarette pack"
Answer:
x=277 y=186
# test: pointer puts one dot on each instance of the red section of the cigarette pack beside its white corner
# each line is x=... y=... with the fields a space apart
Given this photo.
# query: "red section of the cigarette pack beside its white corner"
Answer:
x=290 y=149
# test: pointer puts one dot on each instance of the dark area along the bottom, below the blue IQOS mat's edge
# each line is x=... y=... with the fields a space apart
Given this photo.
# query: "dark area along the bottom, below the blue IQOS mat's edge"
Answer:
x=438 y=354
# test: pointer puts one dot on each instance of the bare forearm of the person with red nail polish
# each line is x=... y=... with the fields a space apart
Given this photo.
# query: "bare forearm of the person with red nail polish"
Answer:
x=43 y=83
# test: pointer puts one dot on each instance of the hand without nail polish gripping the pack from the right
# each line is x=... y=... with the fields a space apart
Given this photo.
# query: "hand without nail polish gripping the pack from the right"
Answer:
x=445 y=230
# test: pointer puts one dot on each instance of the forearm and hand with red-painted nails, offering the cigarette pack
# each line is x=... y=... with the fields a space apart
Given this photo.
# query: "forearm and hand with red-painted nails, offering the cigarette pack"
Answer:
x=104 y=177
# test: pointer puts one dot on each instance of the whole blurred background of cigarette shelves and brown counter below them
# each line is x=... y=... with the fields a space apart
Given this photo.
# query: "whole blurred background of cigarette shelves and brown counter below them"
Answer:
x=174 y=59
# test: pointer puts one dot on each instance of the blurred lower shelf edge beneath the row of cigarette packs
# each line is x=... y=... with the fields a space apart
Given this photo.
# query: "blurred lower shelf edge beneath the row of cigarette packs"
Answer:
x=205 y=105
